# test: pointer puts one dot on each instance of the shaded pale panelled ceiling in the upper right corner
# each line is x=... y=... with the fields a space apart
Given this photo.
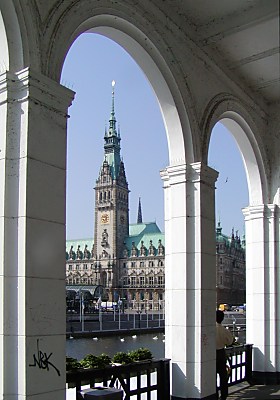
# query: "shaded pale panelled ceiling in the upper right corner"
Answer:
x=241 y=36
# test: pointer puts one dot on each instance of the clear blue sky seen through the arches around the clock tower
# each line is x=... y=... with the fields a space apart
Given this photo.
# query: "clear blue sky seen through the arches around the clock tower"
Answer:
x=90 y=66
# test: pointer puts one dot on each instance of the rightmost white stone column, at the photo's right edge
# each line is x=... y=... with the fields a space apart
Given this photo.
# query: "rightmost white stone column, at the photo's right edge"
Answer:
x=262 y=290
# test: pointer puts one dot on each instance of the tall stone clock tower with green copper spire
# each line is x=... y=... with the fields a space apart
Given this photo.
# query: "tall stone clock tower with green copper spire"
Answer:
x=111 y=206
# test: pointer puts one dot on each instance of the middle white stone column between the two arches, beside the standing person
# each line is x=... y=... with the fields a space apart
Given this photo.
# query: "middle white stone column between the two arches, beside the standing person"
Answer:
x=190 y=279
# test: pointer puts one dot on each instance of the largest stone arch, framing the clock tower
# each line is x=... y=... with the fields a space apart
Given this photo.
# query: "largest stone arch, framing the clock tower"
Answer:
x=181 y=141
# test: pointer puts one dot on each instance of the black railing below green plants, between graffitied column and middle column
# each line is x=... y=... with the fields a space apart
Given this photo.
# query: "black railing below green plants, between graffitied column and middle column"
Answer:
x=134 y=379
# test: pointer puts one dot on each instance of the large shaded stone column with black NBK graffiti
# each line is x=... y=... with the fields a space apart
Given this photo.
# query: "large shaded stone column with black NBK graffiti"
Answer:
x=33 y=118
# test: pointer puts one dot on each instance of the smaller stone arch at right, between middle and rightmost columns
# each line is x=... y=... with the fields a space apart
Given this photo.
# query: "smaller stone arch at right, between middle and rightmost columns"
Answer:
x=233 y=115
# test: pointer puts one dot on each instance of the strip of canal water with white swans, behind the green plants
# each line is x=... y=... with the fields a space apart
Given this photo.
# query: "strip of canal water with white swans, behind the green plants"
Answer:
x=79 y=348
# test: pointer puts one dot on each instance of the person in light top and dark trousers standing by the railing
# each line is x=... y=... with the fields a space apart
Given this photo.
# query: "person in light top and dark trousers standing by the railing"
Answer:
x=223 y=338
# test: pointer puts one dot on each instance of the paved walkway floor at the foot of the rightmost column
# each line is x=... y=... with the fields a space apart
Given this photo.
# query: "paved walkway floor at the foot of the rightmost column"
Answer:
x=245 y=391
